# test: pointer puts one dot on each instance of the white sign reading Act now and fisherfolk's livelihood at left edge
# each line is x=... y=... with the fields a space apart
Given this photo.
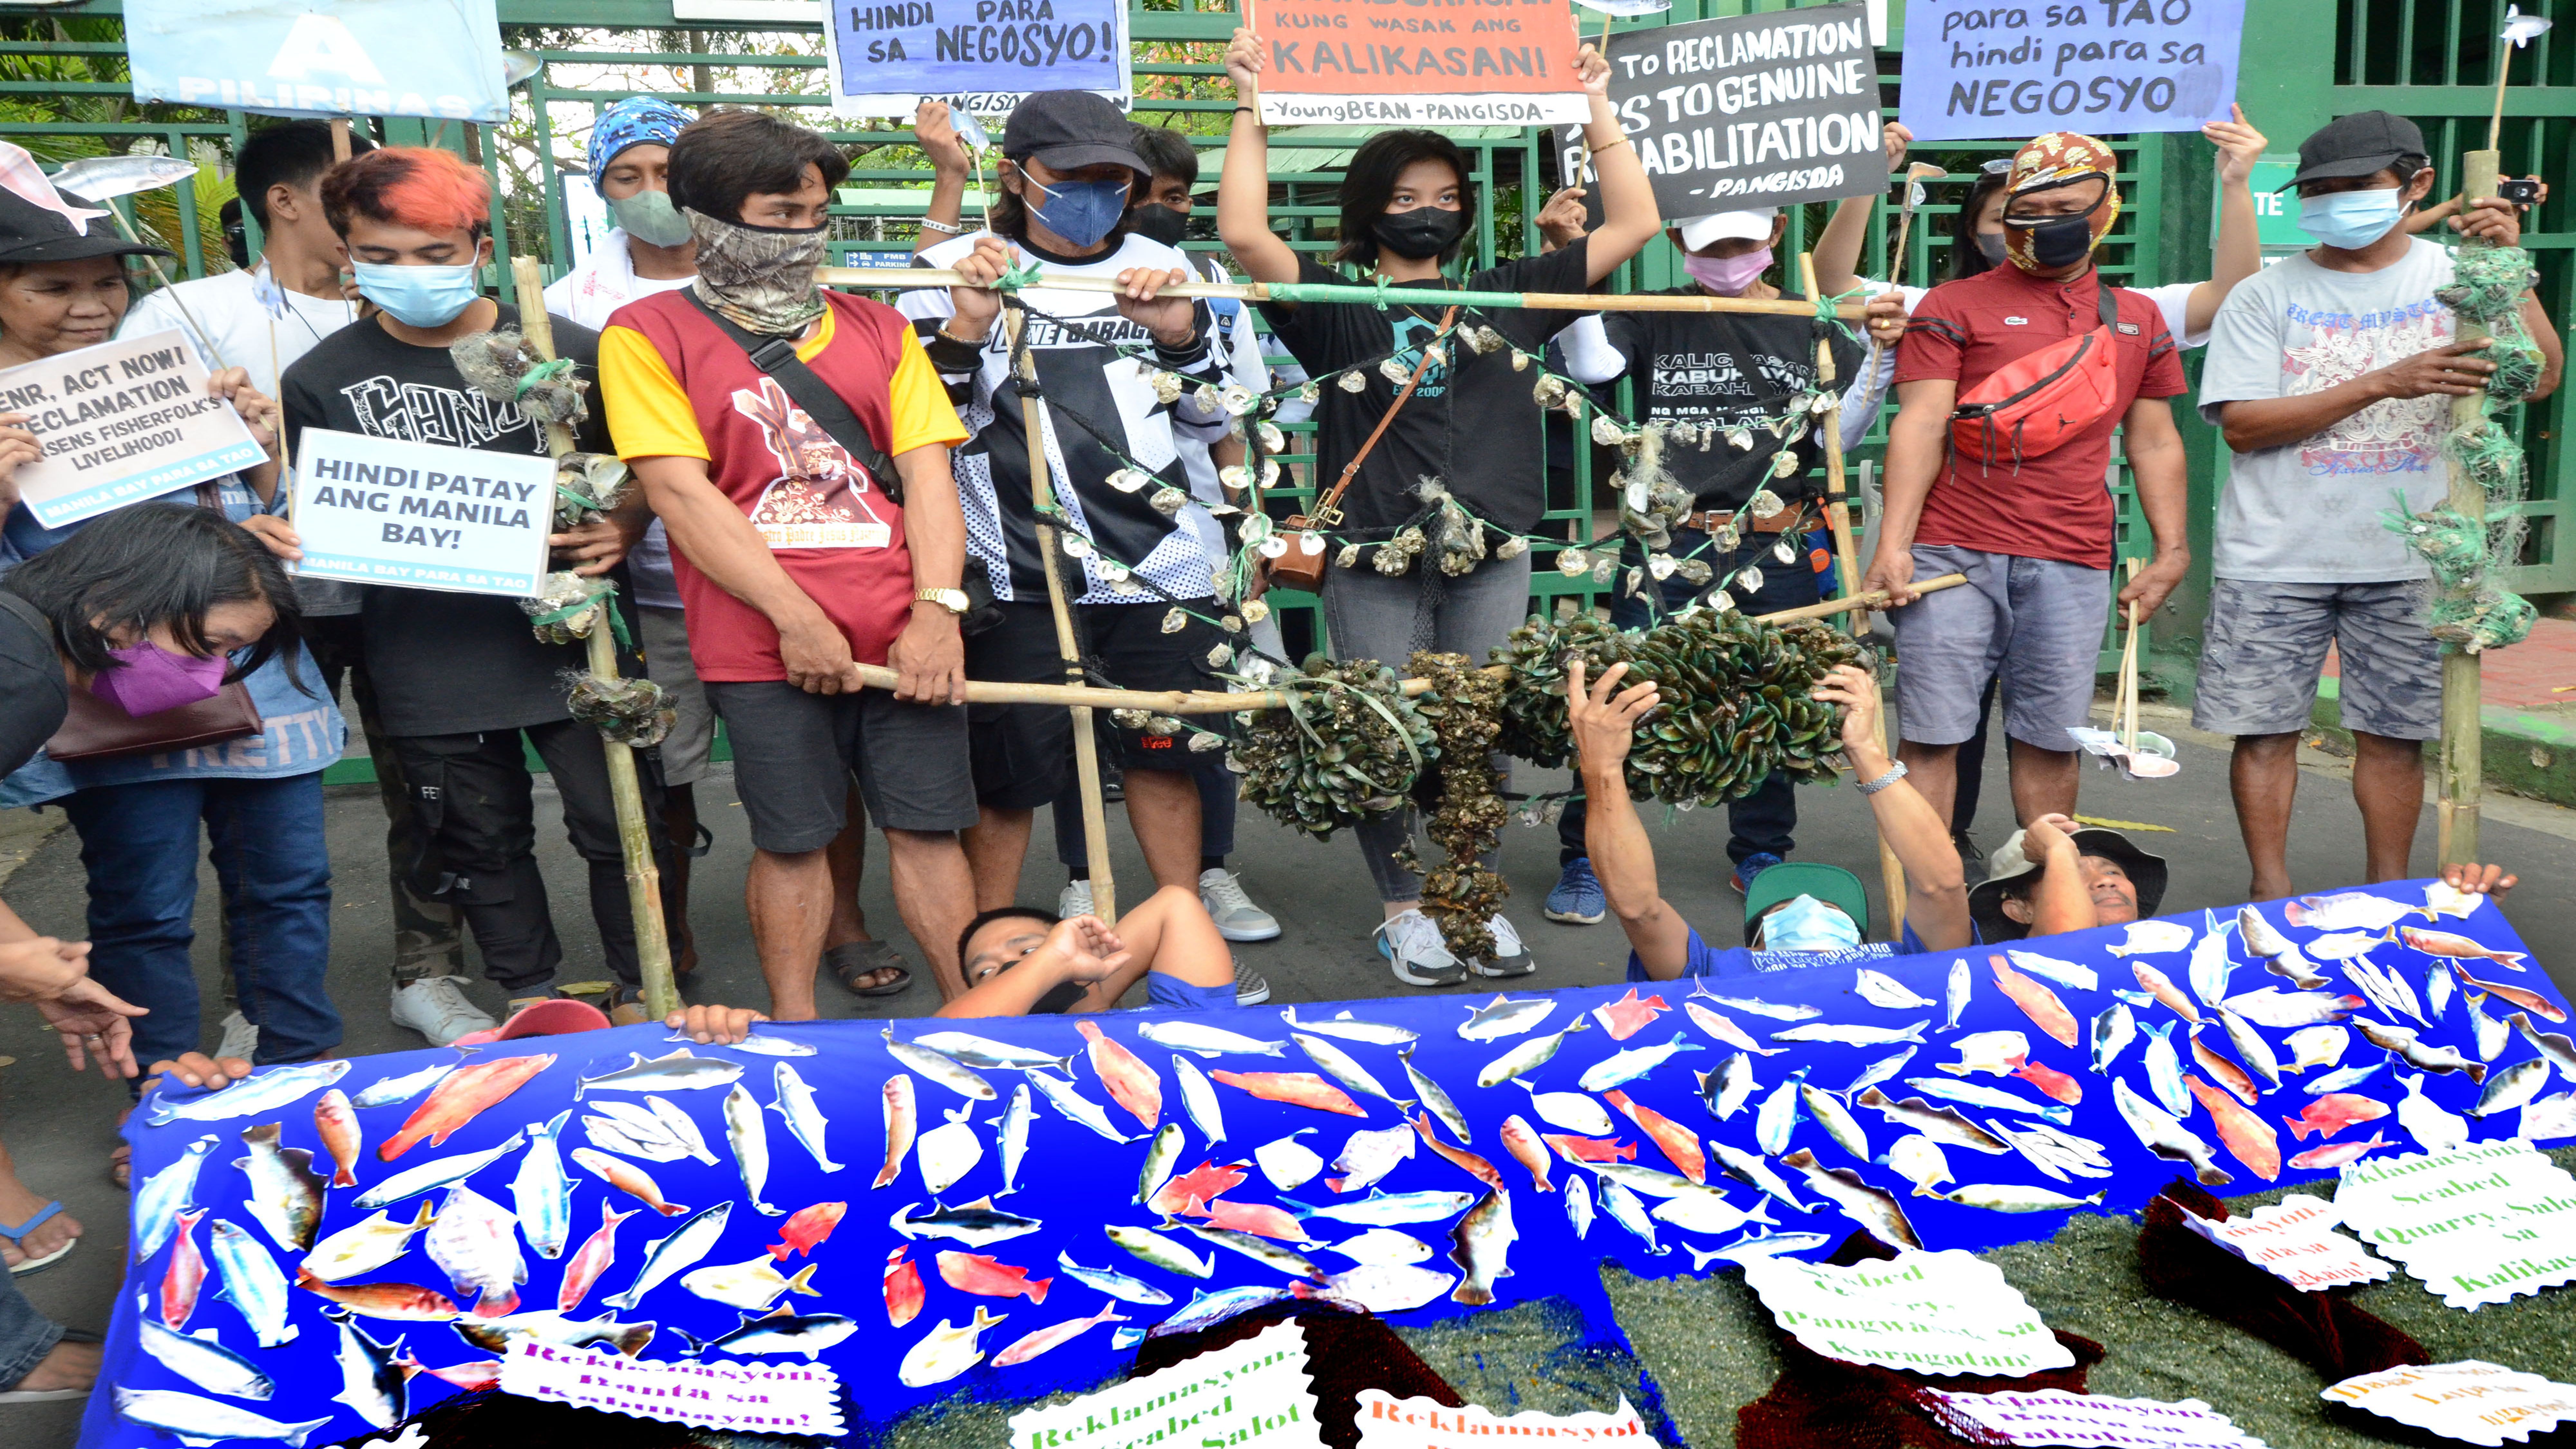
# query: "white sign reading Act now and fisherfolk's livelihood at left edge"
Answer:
x=120 y=424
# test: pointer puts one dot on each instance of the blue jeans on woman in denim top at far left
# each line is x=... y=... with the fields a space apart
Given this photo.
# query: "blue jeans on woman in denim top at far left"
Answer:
x=274 y=870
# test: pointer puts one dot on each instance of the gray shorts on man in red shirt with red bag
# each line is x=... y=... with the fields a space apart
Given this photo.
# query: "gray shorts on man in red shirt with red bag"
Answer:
x=2034 y=623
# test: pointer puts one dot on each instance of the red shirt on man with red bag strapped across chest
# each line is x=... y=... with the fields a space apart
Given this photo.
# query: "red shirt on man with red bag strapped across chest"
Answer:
x=2054 y=507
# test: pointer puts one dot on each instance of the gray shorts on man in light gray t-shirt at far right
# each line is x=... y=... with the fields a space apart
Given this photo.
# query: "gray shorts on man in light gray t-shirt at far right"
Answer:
x=2268 y=646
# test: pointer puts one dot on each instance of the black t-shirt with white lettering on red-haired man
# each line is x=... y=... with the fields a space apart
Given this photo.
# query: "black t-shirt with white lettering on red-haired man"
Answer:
x=444 y=664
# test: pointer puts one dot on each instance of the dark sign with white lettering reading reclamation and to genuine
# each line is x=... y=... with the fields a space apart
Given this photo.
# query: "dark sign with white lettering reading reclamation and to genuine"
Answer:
x=1748 y=112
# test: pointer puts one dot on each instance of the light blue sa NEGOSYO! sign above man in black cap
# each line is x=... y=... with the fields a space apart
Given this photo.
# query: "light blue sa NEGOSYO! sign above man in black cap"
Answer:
x=978 y=55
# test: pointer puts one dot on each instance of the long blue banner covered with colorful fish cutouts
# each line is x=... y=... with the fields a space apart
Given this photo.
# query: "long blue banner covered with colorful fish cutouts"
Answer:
x=1003 y=1208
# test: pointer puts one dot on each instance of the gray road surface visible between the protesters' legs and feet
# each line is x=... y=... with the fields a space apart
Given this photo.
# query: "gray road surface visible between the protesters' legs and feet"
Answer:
x=63 y=1128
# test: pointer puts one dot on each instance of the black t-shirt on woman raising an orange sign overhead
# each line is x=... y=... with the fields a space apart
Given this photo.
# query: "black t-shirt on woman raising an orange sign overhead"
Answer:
x=1472 y=424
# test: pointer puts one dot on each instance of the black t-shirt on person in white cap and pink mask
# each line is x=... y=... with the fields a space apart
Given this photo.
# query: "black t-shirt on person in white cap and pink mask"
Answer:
x=1730 y=370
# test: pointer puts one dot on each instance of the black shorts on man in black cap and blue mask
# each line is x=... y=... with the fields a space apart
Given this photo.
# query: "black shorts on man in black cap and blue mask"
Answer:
x=1024 y=754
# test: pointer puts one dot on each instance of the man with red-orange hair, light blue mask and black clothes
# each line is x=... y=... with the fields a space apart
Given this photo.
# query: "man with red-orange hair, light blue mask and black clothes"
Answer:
x=460 y=677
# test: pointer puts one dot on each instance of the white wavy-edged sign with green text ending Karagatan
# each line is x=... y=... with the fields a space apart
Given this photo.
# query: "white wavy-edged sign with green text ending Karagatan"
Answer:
x=1931 y=1314
